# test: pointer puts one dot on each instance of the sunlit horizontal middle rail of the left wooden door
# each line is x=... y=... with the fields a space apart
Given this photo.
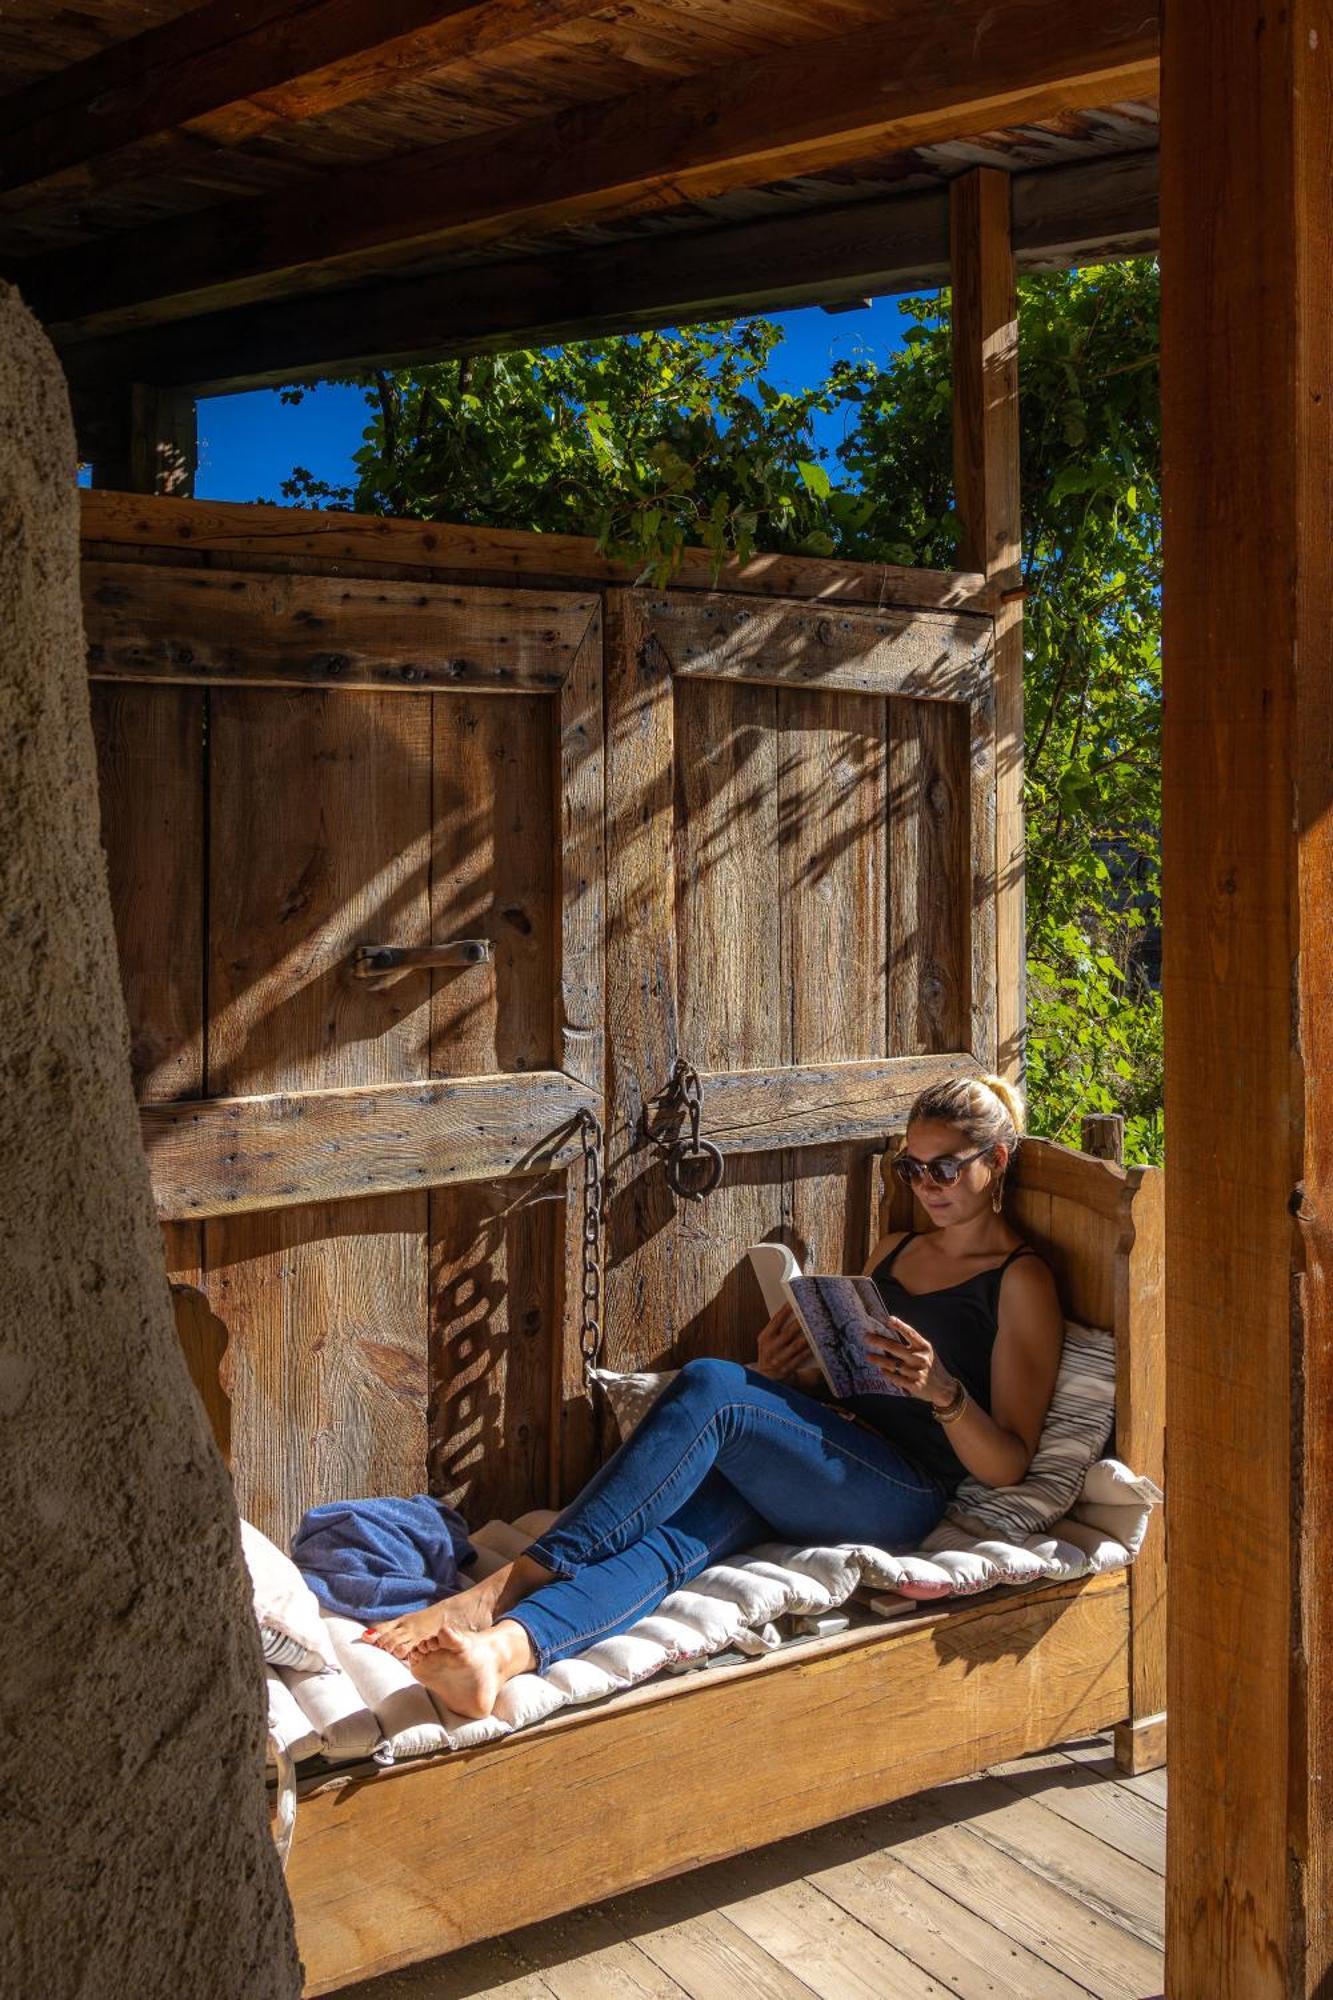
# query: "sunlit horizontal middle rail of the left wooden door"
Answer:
x=235 y=1155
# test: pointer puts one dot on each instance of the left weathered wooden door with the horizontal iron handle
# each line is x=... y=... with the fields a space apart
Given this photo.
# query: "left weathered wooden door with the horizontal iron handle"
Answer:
x=369 y=1185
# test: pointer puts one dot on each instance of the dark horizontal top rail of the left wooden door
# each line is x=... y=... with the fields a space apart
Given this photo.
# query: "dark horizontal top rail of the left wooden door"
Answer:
x=221 y=627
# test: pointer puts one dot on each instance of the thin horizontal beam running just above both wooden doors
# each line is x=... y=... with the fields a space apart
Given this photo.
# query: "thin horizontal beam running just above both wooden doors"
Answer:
x=225 y=529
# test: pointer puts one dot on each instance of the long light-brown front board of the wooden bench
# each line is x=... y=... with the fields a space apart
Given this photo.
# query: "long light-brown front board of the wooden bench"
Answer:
x=383 y=1885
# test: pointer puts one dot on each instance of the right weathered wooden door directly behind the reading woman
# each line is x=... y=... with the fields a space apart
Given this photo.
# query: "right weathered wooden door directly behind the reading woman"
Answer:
x=802 y=879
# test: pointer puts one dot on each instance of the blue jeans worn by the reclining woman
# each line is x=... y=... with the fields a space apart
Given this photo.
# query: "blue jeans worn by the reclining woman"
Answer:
x=722 y=1461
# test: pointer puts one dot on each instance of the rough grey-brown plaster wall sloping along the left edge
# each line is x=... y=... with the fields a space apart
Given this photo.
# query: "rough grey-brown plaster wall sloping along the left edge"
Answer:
x=135 y=1855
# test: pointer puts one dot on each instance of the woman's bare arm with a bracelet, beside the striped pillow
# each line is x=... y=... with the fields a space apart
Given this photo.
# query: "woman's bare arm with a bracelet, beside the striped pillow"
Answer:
x=998 y=1447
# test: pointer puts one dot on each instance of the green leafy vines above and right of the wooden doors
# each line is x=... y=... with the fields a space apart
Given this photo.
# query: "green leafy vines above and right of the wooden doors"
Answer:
x=665 y=439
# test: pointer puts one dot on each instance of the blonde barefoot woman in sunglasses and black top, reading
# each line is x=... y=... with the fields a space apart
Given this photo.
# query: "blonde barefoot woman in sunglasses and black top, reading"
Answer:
x=732 y=1457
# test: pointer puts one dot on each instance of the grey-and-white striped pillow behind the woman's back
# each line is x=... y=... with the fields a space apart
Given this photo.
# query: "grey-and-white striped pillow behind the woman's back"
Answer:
x=1072 y=1437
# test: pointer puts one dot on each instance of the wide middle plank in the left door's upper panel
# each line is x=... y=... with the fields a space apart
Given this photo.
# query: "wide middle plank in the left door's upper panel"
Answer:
x=319 y=843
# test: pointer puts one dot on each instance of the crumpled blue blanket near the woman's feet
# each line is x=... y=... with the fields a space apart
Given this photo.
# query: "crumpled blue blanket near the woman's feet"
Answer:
x=377 y=1559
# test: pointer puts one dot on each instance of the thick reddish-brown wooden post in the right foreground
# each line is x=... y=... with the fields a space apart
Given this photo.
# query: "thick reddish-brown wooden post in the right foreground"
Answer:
x=1248 y=519
